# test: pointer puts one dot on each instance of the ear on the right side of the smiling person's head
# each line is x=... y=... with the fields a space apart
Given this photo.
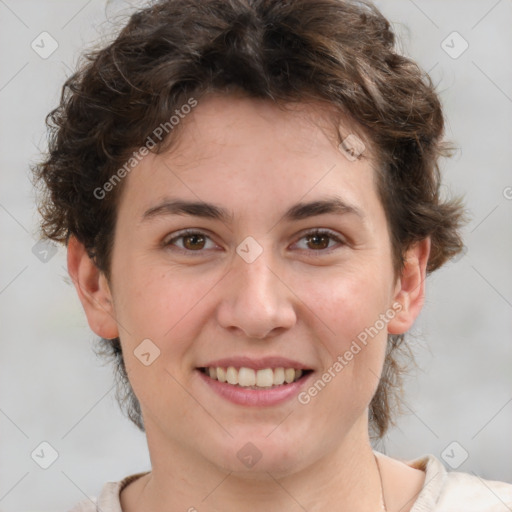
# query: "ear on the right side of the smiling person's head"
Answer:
x=410 y=287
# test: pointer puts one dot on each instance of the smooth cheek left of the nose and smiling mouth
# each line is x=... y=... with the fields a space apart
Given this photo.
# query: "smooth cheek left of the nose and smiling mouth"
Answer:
x=155 y=305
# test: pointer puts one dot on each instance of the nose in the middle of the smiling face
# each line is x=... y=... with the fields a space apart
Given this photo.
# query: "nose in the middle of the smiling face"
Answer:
x=256 y=302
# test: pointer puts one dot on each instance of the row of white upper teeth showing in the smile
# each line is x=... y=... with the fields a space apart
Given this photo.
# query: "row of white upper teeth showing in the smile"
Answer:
x=249 y=378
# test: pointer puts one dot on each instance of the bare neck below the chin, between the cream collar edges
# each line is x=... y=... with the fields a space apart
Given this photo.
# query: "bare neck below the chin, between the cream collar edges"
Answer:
x=344 y=477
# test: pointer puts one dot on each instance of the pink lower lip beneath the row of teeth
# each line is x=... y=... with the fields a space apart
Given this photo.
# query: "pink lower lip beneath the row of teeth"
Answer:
x=254 y=397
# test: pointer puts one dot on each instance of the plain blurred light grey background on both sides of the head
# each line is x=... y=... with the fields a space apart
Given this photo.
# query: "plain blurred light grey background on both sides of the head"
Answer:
x=54 y=389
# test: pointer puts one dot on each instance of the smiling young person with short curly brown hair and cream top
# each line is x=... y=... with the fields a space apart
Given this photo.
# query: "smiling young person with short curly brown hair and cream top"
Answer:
x=249 y=195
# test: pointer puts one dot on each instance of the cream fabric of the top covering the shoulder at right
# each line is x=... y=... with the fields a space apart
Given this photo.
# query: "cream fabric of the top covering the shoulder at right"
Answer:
x=445 y=491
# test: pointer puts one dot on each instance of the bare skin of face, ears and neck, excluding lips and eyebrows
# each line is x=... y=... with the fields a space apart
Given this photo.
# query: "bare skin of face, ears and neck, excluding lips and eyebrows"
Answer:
x=300 y=299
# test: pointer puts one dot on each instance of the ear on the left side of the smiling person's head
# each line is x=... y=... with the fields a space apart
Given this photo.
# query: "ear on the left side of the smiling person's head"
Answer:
x=93 y=290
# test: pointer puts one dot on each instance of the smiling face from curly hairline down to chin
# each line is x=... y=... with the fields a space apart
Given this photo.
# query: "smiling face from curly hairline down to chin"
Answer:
x=265 y=278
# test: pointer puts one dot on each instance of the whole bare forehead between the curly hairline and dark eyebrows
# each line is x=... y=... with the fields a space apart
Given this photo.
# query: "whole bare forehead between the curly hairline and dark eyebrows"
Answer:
x=251 y=152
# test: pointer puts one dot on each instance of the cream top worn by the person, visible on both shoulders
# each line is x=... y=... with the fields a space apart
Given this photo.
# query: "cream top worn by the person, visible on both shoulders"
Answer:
x=442 y=492
